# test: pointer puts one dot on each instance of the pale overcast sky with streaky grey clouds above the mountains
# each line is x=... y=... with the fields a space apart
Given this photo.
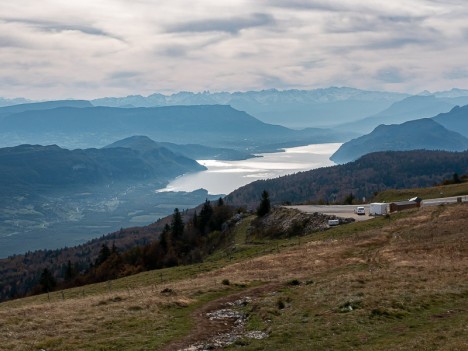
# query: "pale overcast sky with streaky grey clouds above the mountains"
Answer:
x=54 y=49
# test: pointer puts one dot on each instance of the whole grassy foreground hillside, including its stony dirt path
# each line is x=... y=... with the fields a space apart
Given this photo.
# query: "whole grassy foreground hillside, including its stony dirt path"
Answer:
x=394 y=283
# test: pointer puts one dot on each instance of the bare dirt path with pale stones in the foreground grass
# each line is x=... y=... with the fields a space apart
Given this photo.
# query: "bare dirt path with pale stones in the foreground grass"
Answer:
x=218 y=323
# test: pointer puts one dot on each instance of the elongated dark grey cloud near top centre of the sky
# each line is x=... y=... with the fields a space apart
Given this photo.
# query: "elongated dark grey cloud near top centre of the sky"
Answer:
x=230 y=25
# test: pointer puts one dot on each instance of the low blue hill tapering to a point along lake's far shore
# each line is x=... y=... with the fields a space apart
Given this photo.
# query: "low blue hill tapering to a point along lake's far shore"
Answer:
x=194 y=151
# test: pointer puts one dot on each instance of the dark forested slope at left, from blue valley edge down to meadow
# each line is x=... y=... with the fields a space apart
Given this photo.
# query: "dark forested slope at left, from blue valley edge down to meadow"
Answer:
x=183 y=238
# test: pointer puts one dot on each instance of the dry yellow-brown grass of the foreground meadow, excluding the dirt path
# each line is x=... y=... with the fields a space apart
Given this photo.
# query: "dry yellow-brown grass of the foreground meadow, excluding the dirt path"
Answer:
x=416 y=262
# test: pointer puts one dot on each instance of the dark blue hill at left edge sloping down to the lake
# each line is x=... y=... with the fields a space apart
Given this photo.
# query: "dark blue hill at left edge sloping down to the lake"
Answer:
x=32 y=168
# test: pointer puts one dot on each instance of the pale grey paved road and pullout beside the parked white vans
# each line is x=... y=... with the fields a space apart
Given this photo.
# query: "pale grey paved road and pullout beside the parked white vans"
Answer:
x=347 y=211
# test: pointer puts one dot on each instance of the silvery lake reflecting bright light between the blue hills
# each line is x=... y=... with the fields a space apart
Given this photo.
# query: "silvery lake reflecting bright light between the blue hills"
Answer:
x=222 y=177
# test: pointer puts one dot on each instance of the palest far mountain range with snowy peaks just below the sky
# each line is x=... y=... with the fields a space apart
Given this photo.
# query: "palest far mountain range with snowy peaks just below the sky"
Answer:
x=291 y=108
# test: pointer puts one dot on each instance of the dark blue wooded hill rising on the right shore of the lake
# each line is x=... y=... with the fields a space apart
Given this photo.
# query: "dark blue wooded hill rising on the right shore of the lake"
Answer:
x=413 y=135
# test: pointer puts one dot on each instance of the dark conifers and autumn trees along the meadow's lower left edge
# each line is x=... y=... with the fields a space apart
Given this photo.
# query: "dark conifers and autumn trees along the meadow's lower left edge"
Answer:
x=185 y=238
